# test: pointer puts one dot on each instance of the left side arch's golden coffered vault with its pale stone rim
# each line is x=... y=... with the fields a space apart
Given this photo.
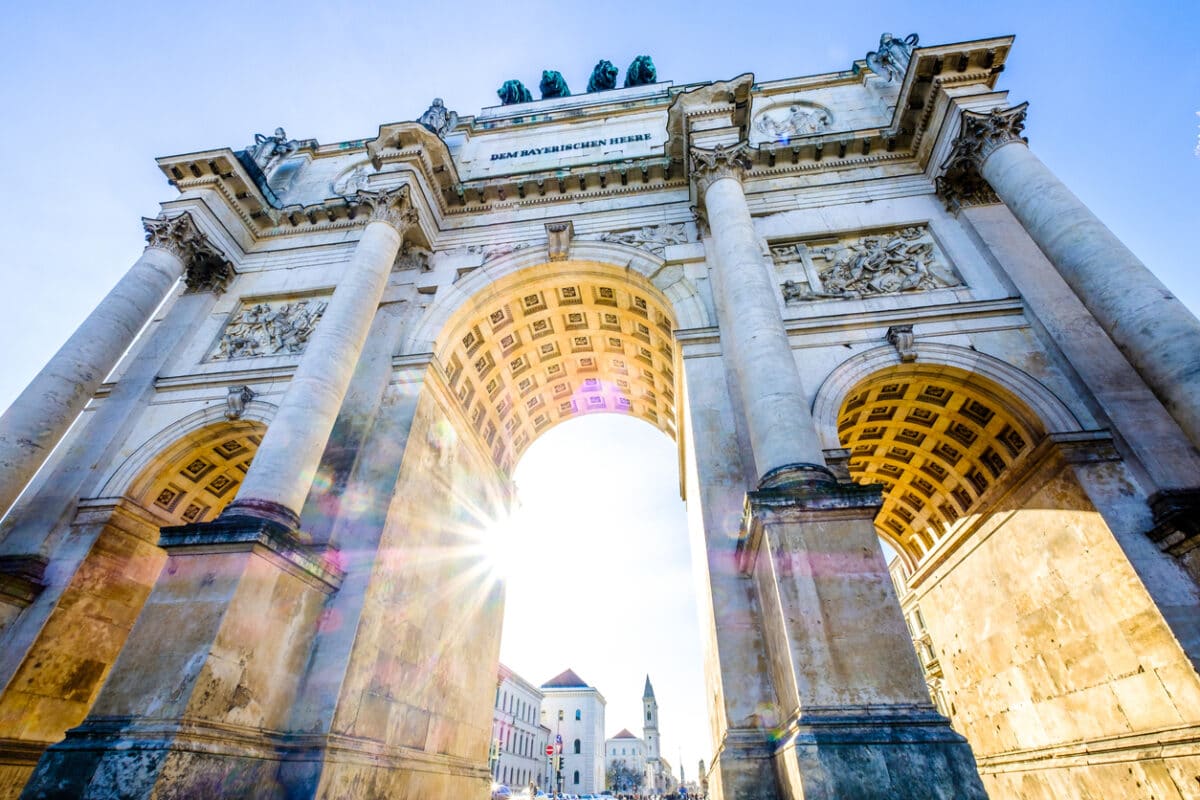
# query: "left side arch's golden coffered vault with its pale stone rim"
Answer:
x=191 y=470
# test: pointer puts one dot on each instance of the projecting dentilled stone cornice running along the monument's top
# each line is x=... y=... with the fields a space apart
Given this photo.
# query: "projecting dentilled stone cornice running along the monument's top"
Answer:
x=435 y=176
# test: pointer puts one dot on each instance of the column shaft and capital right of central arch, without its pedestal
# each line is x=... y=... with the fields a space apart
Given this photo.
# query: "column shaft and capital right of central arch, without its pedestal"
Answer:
x=783 y=437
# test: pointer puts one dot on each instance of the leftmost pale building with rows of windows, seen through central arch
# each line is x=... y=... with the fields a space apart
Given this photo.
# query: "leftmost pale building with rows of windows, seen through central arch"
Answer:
x=519 y=738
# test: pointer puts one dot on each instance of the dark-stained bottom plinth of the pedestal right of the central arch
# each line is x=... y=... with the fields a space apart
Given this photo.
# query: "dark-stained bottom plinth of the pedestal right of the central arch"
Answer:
x=860 y=756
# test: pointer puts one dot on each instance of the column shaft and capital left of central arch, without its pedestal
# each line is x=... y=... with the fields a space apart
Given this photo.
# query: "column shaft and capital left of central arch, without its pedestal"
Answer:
x=281 y=474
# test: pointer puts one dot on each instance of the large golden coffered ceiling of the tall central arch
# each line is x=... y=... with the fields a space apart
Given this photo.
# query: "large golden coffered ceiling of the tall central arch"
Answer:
x=559 y=341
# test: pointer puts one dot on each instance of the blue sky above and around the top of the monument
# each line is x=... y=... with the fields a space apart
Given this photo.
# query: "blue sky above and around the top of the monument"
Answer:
x=92 y=93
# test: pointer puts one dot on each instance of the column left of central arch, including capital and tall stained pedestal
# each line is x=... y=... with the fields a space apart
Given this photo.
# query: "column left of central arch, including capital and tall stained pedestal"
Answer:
x=218 y=653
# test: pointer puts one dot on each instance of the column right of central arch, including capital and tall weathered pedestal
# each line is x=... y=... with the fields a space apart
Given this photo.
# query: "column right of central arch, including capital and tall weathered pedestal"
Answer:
x=855 y=717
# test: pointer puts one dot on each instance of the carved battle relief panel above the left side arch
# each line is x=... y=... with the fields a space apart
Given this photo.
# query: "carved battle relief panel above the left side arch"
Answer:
x=269 y=328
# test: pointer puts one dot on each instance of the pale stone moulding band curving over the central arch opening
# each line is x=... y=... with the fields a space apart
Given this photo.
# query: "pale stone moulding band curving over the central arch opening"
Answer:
x=682 y=293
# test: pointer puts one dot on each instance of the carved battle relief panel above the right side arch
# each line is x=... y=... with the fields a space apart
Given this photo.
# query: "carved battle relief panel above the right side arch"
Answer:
x=859 y=266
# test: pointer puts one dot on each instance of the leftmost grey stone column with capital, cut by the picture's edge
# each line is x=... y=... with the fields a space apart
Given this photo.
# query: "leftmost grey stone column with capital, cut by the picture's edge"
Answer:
x=37 y=422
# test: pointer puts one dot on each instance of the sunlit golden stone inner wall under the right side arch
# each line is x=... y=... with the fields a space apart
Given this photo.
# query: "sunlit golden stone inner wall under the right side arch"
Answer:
x=1061 y=671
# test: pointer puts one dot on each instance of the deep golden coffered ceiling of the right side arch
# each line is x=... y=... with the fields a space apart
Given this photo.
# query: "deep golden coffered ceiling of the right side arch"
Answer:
x=939 y=440
